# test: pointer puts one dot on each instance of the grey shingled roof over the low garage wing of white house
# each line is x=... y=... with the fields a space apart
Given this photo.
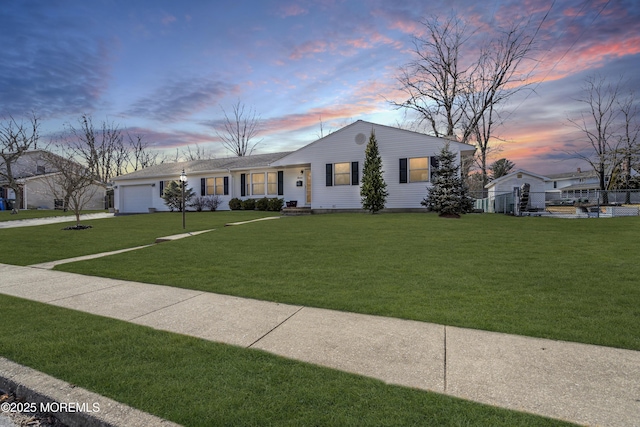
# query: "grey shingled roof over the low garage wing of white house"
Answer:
x=200 y=166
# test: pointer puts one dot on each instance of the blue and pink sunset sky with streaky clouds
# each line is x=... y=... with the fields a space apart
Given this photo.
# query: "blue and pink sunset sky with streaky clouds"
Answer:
x=164 y=69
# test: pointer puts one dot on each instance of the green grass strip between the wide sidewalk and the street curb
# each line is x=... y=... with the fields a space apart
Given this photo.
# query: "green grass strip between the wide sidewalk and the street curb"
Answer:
x=199 y=383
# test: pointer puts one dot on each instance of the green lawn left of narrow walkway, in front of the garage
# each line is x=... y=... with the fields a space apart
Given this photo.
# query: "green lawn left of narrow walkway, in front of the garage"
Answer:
x=32 y=245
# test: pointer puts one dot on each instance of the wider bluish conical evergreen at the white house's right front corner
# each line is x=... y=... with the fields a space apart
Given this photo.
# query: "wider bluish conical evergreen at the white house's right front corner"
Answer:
x=448 y=194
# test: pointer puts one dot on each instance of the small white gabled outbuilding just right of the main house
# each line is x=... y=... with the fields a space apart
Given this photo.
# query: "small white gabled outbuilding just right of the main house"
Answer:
x=501 y=190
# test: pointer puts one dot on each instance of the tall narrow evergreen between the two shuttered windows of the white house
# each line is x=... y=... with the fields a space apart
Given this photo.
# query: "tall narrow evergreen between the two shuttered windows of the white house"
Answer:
x=373 y=190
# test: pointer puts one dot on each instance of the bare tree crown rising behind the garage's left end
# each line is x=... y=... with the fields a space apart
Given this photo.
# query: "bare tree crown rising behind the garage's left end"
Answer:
x=102 y=149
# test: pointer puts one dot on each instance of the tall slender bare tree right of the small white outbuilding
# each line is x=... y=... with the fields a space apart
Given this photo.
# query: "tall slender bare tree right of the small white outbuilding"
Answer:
x=599 y=124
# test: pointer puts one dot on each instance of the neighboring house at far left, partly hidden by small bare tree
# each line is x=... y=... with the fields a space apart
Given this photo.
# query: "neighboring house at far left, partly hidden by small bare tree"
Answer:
x=35 y=176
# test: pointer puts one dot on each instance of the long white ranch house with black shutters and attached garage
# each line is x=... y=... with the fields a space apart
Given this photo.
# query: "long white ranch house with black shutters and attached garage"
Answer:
x=324 y=175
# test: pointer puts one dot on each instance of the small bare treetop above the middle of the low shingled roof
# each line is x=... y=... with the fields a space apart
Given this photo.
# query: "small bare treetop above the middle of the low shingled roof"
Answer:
x=239 y=131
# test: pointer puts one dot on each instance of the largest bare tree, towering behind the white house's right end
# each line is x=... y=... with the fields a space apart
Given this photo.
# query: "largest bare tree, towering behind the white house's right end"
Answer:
x=455 y=86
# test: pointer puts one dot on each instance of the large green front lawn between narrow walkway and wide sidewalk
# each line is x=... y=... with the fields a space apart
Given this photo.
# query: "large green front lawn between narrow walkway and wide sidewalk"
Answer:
x=573 y=280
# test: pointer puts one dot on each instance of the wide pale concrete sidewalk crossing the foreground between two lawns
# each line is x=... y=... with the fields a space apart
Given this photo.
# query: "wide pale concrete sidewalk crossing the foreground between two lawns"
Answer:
x=582 y=383
